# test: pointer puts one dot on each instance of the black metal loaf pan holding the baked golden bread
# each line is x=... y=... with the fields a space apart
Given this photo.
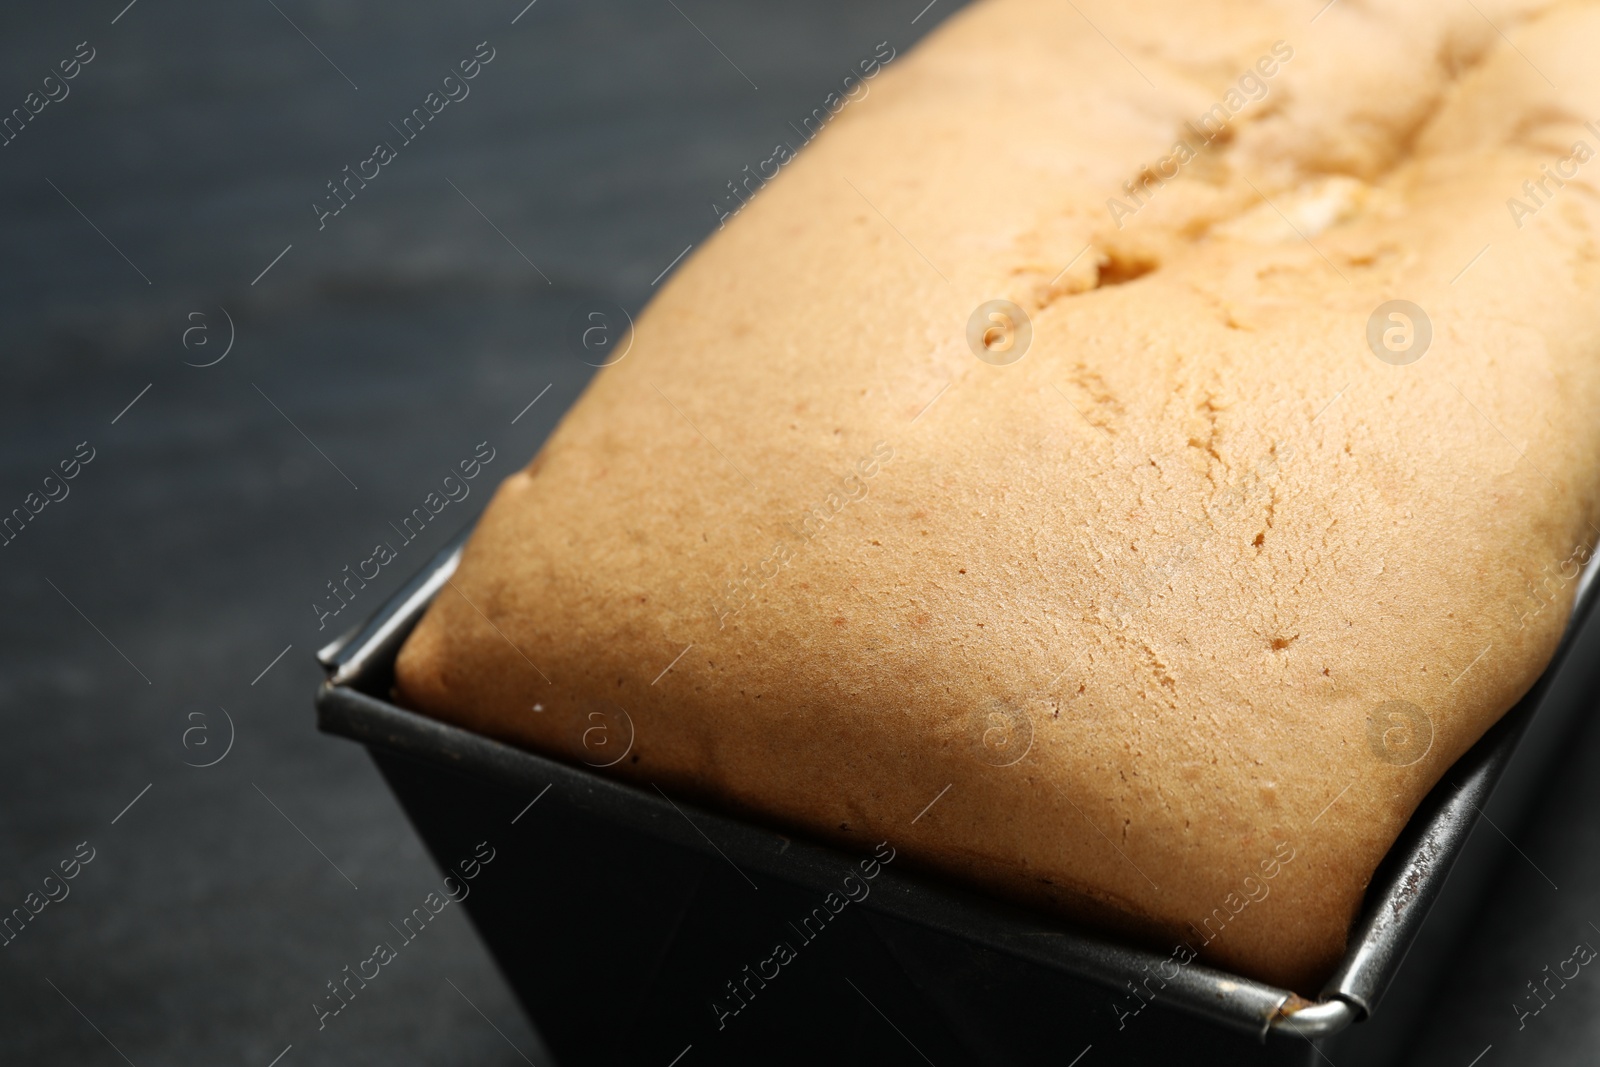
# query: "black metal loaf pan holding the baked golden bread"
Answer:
x=638 y=929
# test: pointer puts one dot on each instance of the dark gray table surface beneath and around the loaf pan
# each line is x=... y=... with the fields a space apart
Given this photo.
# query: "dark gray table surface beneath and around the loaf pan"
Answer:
x=174 y=589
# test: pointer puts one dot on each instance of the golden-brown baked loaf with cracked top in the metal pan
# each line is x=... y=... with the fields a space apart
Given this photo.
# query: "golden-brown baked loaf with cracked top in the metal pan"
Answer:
x=1196 y=585
